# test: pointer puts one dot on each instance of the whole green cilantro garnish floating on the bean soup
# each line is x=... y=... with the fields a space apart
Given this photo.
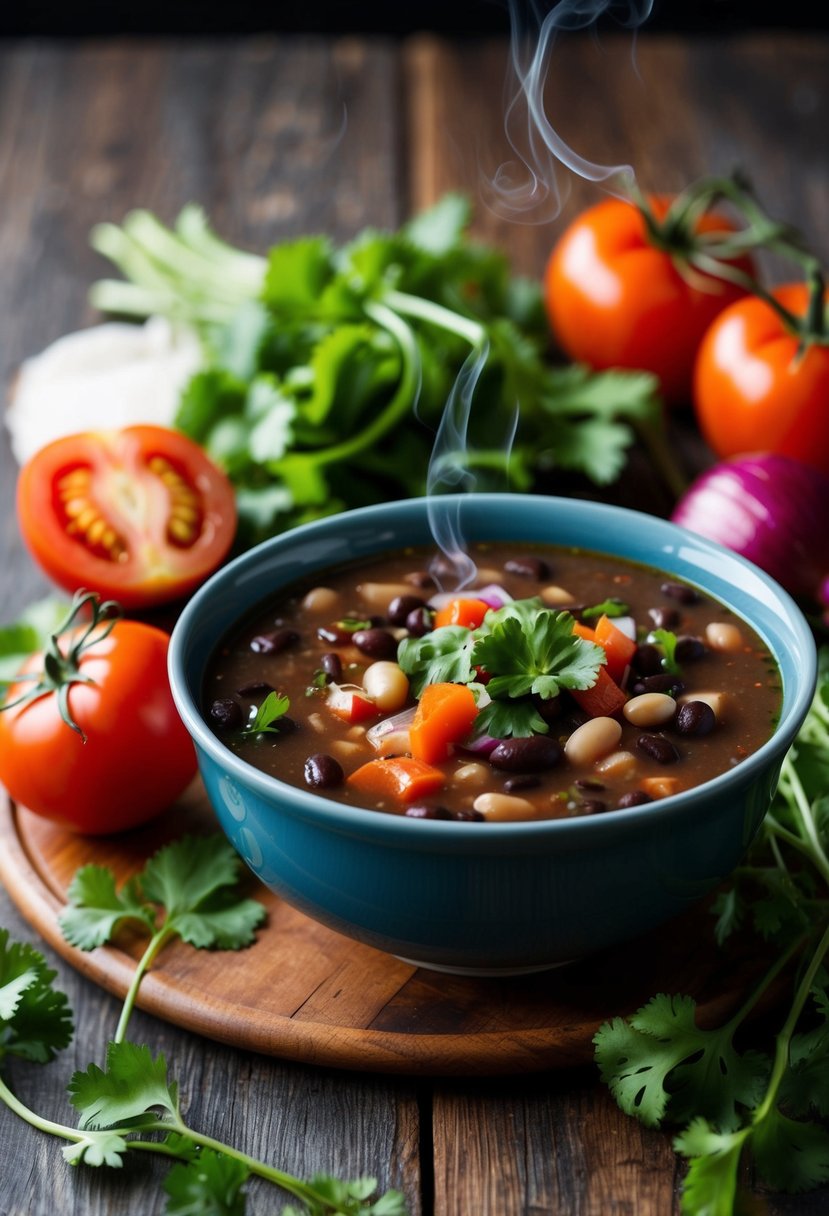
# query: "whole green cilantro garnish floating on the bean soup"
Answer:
x=527 y=651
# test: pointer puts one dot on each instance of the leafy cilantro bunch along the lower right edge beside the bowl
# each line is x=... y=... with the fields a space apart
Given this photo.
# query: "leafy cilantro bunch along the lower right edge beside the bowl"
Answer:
x=737 y=1102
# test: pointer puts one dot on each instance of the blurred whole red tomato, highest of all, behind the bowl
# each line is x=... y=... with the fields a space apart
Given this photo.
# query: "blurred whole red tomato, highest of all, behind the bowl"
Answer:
x=614 y=300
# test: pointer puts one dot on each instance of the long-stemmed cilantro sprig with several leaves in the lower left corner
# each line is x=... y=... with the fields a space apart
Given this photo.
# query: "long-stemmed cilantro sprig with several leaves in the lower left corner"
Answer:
x=188 y=890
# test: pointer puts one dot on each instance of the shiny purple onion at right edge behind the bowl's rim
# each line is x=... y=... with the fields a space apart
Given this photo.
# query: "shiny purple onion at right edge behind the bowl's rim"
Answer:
x=770 y=509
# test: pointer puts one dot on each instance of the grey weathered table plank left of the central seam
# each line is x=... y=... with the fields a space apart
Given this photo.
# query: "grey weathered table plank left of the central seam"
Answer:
x=274 y=138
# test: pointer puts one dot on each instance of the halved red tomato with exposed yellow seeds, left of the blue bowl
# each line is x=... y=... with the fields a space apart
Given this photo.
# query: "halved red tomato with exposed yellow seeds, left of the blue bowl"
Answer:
x=139 y=515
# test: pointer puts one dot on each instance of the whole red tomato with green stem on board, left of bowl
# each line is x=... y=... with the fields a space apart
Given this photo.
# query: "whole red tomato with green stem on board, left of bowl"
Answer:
x=138 y=757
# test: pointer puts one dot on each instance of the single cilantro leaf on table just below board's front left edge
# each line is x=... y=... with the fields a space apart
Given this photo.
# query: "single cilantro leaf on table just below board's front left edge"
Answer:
x=128 y=1093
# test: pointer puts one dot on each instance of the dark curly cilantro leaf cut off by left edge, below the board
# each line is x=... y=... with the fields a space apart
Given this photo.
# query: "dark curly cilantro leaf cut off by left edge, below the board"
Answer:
x=36 y=1021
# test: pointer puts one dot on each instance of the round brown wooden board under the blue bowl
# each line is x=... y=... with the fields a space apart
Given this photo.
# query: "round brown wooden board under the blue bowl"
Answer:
x=308 y=994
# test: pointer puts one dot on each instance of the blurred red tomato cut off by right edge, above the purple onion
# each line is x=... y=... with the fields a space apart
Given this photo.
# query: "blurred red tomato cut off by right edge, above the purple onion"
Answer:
x=753 y=392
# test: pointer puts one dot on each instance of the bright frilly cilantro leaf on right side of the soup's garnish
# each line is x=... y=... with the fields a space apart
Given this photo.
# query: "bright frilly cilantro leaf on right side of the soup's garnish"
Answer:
x=528 y=649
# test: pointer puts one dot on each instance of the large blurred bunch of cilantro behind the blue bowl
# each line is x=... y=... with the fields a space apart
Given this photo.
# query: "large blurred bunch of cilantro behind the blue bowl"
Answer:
x=328 y=369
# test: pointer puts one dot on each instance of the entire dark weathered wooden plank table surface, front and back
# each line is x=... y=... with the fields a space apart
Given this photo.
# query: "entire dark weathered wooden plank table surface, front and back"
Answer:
x=279 y=137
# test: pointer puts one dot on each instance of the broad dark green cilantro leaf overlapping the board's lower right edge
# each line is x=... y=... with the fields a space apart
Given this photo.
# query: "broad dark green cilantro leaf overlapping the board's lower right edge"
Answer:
x=661 y=1056
